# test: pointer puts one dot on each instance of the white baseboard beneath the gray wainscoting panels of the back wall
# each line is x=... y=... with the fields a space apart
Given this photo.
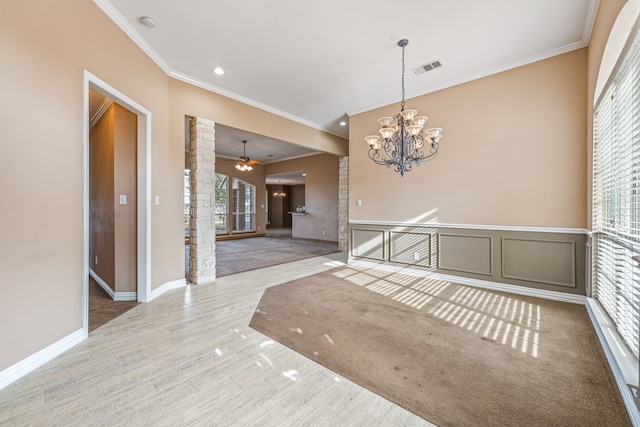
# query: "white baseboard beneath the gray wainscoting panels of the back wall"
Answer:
x=485 y=284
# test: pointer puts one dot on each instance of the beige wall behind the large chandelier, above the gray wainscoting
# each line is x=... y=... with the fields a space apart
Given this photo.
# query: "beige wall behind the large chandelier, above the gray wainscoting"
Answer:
x=513 y=153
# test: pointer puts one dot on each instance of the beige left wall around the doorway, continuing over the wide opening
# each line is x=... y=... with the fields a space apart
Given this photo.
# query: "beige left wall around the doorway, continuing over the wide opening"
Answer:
x=48 y=44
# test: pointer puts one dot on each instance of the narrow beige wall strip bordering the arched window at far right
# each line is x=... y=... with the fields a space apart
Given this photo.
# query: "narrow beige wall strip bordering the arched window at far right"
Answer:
x=607 y=14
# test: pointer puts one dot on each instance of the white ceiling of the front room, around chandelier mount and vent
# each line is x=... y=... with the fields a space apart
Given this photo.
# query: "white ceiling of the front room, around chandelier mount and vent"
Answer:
x=318 y=62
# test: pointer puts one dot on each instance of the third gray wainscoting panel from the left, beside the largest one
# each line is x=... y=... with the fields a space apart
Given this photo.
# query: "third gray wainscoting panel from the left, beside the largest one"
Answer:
x=465 y=253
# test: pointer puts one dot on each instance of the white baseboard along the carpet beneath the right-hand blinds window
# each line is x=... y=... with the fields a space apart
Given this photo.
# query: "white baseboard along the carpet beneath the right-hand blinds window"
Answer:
x=622 y=363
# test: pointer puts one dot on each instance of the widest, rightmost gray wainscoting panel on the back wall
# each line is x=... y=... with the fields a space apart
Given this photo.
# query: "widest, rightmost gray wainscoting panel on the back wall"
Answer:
x=542 y=261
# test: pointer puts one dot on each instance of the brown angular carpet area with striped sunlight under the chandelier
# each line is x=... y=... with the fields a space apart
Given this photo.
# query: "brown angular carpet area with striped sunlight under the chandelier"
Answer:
x=454 y=355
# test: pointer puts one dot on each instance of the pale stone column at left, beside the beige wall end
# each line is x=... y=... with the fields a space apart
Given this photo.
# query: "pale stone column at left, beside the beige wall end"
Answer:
x=202 y=246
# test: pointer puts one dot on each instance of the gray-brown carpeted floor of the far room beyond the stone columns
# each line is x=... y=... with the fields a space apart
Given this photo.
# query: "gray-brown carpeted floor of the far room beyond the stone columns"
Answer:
x=235 y=256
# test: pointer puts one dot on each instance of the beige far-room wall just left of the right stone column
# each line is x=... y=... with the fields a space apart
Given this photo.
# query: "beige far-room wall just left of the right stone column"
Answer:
x=321 y=195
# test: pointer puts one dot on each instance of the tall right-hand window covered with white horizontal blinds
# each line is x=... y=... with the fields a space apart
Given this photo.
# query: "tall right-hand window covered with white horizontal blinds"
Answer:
x=616 y=199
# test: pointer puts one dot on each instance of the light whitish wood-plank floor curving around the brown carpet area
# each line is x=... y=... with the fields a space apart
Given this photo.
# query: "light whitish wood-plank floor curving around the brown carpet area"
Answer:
x=189 y=358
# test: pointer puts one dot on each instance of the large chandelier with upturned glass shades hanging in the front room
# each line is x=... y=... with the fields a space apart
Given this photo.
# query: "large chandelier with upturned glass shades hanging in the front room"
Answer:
x=404 y=142
